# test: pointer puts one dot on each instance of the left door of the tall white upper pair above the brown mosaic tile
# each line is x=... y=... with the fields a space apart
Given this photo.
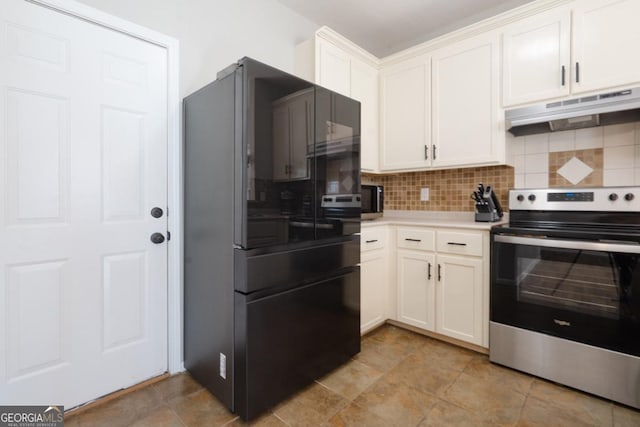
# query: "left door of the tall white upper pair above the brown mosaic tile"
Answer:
x=404 y=115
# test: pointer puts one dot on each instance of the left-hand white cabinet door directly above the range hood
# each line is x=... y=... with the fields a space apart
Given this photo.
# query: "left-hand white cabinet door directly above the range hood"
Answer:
x=536 y=63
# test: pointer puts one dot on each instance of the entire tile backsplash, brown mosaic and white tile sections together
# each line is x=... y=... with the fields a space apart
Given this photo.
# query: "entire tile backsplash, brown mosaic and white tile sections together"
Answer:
x=600 y=156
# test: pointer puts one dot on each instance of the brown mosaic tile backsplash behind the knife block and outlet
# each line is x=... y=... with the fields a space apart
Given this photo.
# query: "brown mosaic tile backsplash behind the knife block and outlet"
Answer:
x=449 y=190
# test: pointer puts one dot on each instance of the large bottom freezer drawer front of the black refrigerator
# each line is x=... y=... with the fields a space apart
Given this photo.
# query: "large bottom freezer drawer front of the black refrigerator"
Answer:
x=287 y=340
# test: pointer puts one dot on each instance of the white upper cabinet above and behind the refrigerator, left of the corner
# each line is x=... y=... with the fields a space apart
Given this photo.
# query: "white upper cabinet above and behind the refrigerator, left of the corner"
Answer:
x=334 y=62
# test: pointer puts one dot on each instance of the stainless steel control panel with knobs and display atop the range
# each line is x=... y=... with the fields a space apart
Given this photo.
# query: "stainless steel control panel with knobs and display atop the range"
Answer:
x=611 y=199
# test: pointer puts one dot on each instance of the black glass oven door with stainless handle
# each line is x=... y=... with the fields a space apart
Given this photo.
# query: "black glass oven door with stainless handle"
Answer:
x=585 y=291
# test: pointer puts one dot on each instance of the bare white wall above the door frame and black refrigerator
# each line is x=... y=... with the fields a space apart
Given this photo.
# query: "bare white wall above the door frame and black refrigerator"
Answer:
x=215 y=33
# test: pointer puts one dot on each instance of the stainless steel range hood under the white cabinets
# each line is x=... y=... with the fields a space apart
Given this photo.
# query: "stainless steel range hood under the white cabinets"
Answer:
x=576 y=113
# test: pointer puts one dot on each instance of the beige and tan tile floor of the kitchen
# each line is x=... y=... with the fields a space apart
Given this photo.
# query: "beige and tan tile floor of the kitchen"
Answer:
x=399 y=379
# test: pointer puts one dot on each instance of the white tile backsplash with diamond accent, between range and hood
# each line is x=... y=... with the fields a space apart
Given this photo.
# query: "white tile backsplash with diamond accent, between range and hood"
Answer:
x=599 y=156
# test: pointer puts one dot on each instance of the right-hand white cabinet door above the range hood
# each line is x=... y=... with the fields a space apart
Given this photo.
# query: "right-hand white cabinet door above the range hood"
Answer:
x=605 y=44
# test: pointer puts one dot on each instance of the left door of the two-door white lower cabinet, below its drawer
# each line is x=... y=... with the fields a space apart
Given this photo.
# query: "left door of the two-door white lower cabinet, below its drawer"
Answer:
x=416 y=292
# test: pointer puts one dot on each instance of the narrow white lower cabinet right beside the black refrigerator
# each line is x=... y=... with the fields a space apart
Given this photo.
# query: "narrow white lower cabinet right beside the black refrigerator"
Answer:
x=374 y=278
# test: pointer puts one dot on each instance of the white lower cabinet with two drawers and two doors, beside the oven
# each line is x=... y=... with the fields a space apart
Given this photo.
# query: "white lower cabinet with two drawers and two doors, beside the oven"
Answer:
x=442 y=285
